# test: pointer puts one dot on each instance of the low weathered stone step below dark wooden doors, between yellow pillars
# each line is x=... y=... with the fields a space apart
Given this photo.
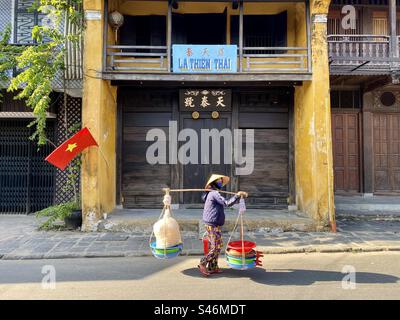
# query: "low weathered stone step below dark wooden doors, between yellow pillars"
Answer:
x=142 y=220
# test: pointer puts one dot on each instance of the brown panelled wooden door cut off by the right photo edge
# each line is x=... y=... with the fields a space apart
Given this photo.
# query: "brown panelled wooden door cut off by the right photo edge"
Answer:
x=386 y=146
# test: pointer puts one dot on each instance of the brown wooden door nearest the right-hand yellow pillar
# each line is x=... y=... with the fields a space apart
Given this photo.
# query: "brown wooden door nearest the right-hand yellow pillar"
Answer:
x=346 y=151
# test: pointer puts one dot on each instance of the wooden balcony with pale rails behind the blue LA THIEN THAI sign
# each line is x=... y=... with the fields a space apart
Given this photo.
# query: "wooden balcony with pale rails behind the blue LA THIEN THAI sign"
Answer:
x=255 y=63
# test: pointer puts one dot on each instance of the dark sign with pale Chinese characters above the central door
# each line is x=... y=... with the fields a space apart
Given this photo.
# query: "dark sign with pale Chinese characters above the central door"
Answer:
x=205 y=99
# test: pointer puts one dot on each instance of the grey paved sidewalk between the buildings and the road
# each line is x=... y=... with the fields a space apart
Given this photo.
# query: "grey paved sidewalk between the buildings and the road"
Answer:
x=19 y=239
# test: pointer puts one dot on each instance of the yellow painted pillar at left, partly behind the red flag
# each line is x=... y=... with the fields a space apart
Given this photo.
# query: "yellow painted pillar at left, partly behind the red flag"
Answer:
x=99 y=115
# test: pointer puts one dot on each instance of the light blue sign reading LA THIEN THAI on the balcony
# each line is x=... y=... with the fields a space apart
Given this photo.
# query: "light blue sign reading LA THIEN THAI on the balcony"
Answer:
x=204 y=58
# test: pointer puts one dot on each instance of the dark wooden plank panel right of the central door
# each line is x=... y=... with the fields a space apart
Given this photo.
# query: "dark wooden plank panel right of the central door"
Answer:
x=267 y=113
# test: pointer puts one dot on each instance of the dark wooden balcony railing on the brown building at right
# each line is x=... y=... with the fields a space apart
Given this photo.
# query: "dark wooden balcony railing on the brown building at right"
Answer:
x=362 y=54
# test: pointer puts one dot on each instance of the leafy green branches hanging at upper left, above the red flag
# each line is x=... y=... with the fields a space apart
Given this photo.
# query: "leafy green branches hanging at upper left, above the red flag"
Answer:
x=39 y=64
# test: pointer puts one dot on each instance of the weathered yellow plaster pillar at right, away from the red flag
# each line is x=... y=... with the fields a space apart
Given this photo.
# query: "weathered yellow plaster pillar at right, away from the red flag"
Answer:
x=313 y=155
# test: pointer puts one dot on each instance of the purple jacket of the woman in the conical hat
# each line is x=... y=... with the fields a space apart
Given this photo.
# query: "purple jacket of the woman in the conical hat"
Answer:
x=213 y=213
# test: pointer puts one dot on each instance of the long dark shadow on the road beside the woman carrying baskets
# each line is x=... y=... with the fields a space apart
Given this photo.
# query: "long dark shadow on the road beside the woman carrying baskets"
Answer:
x=287 y=277
